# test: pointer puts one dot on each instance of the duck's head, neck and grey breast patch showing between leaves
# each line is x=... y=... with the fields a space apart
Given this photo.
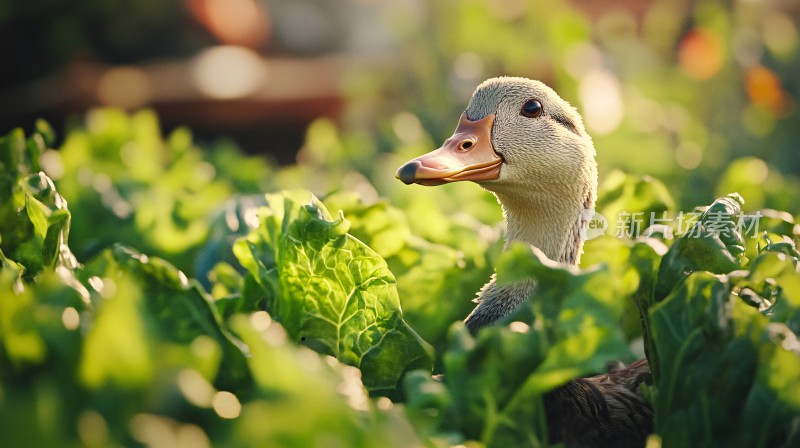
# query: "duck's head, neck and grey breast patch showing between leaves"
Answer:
x=524 y=143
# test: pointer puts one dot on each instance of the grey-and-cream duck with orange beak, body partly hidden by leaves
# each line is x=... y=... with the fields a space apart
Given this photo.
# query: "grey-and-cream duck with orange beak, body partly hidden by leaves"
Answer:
x=522 y=142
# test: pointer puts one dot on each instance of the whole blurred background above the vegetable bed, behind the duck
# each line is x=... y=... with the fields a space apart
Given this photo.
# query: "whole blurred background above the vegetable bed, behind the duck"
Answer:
x=700 y=94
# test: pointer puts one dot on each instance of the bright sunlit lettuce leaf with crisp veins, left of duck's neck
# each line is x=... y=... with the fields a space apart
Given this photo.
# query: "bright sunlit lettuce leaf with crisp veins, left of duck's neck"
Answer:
x=329 y=290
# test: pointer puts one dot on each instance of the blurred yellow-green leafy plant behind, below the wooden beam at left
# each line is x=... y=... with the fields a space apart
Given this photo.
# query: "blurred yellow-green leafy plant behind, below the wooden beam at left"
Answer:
x=152 y=192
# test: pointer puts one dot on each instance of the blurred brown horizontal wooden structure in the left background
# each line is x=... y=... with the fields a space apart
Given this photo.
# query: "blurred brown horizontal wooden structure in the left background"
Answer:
x=270 y=116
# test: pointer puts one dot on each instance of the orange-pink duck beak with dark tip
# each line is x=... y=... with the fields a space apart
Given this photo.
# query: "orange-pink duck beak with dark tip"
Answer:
x=467 y=155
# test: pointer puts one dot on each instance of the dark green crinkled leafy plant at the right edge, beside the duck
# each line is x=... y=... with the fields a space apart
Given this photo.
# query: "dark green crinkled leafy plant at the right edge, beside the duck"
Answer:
x=713 y=338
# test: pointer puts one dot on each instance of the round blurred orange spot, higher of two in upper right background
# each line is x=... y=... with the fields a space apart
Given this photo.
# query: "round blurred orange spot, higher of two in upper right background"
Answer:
x=701 y=53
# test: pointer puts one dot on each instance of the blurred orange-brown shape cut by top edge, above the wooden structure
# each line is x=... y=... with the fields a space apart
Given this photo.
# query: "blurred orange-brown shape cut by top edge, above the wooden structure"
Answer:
x=235 y=22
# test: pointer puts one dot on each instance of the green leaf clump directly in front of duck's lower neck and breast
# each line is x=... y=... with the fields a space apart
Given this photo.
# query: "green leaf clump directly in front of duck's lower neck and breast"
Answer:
x=495 y=380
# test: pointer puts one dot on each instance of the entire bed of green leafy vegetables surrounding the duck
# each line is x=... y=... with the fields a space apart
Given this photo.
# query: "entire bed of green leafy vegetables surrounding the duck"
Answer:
x=297 y=311
